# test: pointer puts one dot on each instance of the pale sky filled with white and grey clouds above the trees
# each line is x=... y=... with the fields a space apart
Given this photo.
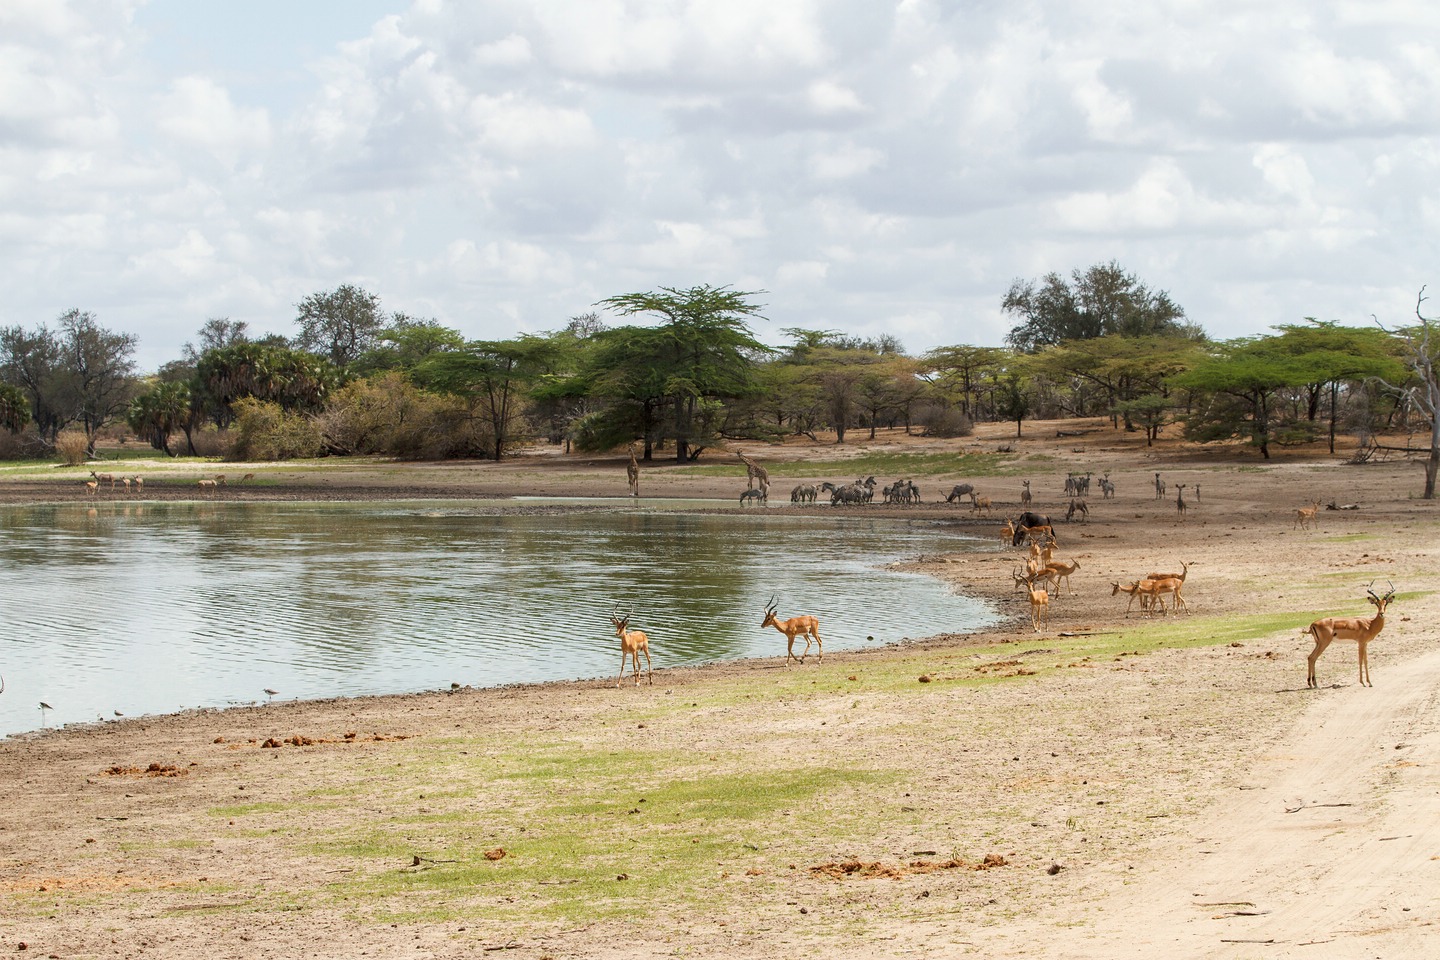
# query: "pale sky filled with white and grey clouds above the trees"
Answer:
x=863 y=166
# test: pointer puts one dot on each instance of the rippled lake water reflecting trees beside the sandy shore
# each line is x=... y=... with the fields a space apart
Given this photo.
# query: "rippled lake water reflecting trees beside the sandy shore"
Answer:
x=156 y=608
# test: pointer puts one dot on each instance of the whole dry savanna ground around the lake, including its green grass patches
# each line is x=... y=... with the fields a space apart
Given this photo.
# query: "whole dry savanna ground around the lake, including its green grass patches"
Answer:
x=1115 y=787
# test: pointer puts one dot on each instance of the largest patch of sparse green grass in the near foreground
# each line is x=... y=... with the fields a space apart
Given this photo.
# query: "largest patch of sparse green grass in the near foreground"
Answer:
x=597 y=836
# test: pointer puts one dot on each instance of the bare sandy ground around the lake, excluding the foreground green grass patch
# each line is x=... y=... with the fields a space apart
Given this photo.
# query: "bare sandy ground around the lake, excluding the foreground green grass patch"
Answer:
x=1192 y=802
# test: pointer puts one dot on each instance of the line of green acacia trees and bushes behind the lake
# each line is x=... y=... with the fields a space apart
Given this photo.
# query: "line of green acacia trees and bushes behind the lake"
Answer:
x=686 y=372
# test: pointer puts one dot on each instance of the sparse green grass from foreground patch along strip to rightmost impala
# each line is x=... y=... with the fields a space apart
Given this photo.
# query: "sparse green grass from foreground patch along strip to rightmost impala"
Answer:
x=601 y=828
